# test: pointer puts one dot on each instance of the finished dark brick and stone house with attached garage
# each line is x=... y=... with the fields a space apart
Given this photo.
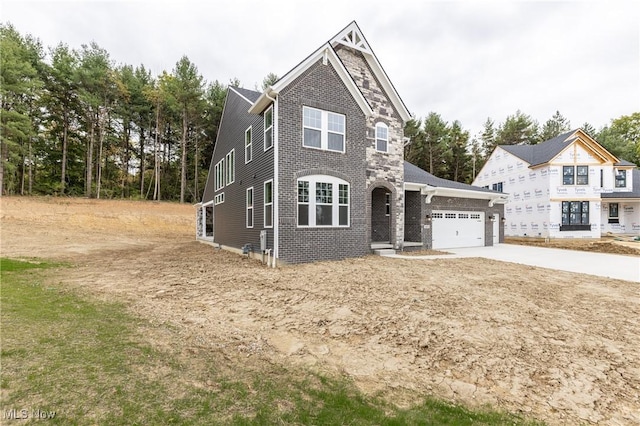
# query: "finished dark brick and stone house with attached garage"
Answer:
x=313 y=169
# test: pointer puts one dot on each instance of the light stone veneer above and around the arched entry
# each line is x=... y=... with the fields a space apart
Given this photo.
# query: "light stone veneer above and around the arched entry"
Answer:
x=382 y=169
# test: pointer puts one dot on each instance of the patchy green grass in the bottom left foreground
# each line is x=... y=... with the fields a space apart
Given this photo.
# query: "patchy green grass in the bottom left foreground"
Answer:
x=93 y=363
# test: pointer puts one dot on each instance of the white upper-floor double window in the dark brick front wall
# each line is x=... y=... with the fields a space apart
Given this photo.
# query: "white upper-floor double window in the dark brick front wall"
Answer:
x=323 y=129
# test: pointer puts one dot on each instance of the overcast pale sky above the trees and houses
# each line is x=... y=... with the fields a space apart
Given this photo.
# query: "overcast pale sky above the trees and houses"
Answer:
x=465 y=60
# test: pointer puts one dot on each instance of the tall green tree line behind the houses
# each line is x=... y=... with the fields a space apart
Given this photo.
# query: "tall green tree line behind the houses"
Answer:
x=75 y=123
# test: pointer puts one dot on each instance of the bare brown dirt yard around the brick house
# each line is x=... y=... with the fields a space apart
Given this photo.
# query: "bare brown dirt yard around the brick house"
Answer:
x=556 y=346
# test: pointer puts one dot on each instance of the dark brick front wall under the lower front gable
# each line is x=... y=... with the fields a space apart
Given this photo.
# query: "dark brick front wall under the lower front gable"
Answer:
x=320 y=87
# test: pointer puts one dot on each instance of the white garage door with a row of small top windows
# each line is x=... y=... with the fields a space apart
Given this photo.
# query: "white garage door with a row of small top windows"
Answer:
x=452 y=229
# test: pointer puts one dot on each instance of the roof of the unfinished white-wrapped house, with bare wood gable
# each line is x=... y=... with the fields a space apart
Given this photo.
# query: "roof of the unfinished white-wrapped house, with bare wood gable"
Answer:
x=546 y=151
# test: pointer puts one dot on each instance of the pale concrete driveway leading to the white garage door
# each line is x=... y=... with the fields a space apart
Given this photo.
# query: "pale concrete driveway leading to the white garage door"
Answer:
x=600 y=264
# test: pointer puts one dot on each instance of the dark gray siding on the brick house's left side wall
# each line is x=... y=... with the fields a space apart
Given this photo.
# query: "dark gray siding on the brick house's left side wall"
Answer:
x=230 y=216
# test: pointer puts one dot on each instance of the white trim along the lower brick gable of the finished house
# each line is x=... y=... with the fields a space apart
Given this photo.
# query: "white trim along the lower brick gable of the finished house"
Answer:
x=327 y=54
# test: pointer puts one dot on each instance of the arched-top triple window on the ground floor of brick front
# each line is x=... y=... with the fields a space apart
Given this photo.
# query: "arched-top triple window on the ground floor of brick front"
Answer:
x=323 y=201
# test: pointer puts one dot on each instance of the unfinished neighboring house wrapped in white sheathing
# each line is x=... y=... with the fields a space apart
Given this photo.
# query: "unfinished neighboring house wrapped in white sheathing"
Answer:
x=567 y=187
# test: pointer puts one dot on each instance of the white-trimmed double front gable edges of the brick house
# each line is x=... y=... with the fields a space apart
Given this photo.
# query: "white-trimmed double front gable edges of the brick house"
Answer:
x=350 y=36
